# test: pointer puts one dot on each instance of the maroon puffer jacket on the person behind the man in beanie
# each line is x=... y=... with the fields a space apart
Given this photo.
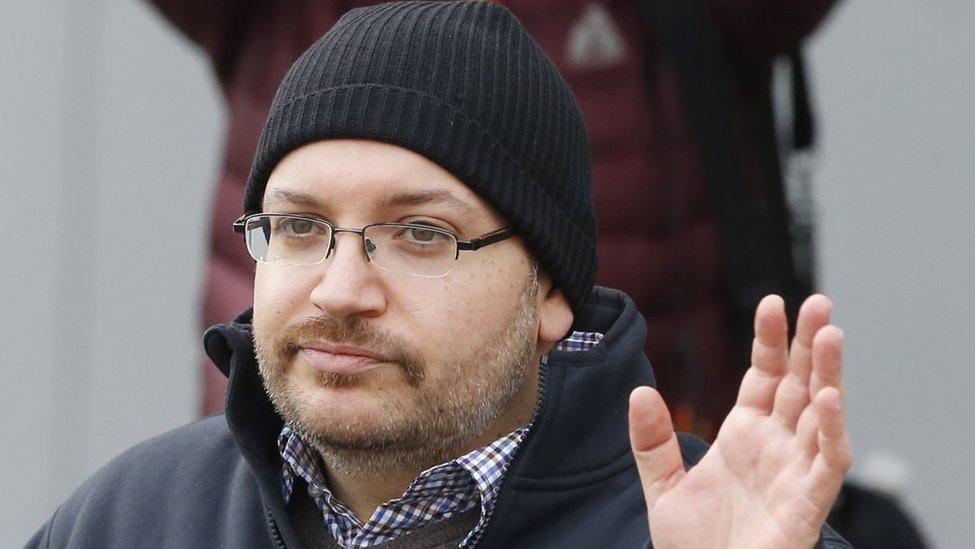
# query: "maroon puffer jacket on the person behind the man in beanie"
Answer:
x=658 y=238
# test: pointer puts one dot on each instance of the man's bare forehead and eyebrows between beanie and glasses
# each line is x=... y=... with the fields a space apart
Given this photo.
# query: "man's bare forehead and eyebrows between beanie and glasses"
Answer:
x=367 y=173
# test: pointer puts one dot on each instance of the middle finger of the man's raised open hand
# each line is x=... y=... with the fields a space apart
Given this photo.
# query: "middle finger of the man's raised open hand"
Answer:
x=793 y=393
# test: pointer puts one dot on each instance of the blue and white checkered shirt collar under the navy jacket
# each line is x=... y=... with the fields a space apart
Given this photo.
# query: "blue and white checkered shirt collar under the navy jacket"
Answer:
x=437 y=494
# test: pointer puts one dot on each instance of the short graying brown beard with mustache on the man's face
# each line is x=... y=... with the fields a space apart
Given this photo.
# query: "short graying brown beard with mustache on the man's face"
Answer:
x=441 y=416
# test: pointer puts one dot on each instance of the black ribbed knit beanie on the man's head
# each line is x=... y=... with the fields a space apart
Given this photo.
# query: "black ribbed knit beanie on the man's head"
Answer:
x=463 y=84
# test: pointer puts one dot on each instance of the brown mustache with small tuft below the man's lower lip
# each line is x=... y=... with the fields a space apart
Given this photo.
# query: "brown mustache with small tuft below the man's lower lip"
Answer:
x=354 y=332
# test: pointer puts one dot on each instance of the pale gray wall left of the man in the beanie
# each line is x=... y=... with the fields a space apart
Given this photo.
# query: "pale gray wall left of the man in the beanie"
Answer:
x=111 y=133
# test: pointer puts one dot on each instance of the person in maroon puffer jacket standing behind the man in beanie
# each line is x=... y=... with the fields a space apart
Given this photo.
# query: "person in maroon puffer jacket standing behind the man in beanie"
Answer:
x=672 y=229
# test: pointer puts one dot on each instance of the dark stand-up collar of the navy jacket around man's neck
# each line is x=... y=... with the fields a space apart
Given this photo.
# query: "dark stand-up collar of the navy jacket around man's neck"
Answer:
x=580 y=428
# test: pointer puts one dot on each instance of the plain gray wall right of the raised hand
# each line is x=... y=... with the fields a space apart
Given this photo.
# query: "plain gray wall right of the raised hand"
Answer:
x=894 y=83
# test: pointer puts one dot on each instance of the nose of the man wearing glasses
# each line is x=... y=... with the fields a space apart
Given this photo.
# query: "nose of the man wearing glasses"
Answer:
x=349 y=286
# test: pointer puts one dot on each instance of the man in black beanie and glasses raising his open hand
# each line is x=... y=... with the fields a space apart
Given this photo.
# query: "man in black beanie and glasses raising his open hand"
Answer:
x=427 y=363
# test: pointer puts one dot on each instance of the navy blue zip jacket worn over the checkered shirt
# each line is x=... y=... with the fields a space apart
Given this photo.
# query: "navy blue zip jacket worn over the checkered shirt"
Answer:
x=216 y=482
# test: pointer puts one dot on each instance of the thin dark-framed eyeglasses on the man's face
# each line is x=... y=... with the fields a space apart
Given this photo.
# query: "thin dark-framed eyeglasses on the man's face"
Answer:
x=408 y=248
